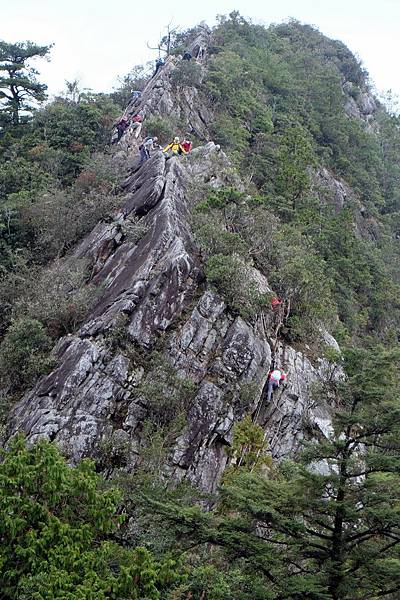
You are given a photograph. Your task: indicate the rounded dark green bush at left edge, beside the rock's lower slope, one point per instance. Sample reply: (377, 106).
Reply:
(24, 353)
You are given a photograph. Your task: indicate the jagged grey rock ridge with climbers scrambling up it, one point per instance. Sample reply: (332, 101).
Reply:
(153, 294)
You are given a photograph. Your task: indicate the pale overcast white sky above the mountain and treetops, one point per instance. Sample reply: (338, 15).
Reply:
(98, 40)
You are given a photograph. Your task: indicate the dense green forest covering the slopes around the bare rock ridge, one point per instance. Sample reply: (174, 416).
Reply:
(324, 524)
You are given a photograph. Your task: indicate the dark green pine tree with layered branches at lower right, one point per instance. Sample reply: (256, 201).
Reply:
(335, 520)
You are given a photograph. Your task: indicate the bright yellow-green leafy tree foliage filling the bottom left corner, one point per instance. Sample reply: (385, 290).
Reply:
(56, 527)
